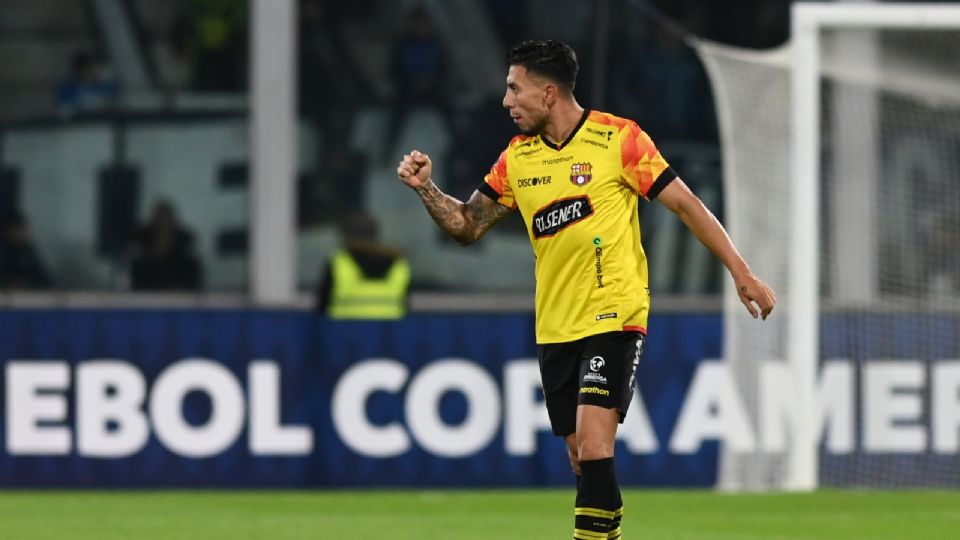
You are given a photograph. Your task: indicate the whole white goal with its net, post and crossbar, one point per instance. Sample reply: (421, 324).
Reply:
(842, 177)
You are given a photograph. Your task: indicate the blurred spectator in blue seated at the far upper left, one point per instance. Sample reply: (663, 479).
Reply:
(88, 88)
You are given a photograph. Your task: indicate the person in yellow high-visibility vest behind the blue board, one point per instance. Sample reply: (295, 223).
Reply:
(364, 279)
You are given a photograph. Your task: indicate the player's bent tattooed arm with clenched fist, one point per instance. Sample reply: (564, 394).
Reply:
(464, 222)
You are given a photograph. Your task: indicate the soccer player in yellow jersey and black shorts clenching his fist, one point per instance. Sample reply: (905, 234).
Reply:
(575, 176)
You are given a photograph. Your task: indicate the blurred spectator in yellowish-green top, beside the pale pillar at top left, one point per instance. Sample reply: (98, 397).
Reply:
(213, 36)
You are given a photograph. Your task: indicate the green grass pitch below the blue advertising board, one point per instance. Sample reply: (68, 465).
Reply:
(468, 515)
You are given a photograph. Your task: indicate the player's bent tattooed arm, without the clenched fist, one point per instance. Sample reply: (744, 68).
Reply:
(465, 222)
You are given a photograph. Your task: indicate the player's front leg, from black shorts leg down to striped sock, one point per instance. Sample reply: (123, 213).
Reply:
(606, 389)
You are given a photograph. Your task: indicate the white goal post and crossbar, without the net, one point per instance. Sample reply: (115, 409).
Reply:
(808, 20)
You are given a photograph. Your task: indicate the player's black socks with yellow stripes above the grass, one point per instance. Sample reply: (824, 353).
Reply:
(599, 505)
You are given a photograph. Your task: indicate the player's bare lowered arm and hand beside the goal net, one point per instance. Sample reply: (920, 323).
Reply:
(698, 218)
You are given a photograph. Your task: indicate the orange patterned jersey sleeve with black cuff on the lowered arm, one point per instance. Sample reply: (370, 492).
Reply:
(644, 169)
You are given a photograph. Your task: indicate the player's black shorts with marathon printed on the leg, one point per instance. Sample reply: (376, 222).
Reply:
(596, 370)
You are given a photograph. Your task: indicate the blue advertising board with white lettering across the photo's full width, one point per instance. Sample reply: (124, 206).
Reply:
(263, 398)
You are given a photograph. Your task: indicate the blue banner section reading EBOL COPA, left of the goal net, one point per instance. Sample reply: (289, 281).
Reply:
(286, 399)
